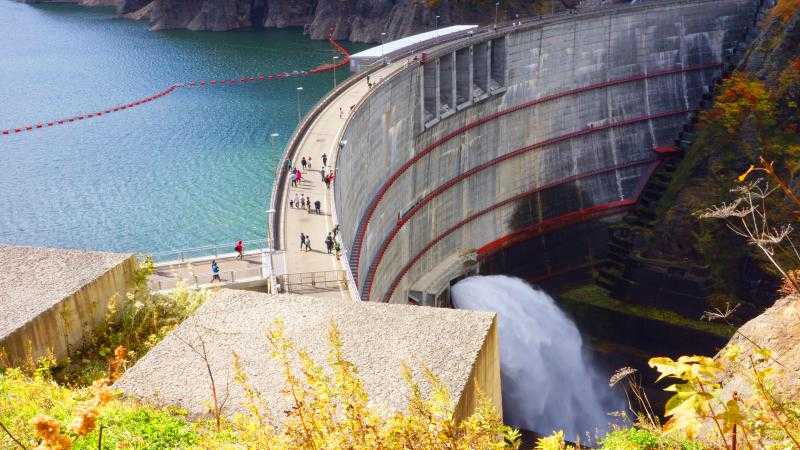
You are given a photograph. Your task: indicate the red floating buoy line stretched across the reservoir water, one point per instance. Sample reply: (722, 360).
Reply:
(196, 83)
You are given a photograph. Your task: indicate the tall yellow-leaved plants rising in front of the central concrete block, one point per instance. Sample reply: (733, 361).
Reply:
(331, 409)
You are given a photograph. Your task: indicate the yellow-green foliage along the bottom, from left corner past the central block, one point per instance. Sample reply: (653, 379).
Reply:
(331, 410)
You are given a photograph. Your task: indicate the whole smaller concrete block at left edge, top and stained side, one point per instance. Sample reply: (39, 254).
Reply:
(51, 299)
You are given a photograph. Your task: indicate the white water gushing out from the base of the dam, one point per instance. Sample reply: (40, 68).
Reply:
(547, 384)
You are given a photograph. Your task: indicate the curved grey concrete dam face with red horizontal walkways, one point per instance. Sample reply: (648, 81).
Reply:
(514, 132)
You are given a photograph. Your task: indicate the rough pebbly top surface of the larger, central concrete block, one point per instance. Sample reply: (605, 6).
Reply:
(377, 339)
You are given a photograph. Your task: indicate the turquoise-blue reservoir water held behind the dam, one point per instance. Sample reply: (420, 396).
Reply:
(190, 169)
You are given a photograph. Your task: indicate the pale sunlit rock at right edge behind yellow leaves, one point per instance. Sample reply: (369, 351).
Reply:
(777, 329)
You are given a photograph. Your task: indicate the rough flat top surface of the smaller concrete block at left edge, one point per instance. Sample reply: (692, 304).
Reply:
(34, 279)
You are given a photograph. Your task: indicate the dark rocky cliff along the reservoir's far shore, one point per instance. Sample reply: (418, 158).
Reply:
(354, 20)
